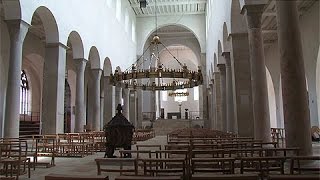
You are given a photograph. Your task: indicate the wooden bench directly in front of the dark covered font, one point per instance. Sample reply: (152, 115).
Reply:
(121, 162)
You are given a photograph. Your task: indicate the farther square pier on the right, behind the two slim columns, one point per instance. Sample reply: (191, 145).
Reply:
(218, 102)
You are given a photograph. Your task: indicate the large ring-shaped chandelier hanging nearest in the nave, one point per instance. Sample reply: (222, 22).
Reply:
(158, 77)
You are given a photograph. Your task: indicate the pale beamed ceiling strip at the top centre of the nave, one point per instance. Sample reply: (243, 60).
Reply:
(169, 7)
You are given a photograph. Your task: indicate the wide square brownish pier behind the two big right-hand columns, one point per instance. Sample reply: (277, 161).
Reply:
(242, 89)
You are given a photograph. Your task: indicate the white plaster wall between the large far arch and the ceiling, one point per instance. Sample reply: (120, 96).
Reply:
(195, 23)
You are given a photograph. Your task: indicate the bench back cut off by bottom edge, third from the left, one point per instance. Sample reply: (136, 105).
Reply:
(225, 177)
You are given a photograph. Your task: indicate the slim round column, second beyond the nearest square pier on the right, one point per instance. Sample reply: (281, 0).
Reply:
(222, 69)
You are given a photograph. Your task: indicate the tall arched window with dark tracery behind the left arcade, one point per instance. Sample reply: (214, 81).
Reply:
(24, 93)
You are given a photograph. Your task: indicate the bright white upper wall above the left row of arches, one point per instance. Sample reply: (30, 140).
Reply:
(95, 22)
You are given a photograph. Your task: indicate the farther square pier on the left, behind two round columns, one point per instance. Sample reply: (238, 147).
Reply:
(108, 93)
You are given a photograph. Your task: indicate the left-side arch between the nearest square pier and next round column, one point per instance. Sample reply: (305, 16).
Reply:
(77, 45)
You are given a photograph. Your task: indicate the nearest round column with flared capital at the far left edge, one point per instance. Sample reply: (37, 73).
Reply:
(17, 31)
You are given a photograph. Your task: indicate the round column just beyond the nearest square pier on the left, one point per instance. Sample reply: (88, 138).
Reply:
(80, 119)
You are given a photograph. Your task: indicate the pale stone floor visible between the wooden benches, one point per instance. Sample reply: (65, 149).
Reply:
(86, 166)
